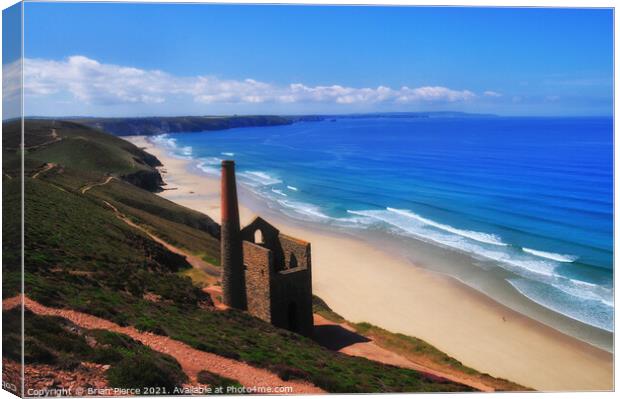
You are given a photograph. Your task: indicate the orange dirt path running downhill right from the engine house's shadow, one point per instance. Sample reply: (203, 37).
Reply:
(354, 344)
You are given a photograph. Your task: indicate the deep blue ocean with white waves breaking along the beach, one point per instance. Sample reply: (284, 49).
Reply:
(532, 197)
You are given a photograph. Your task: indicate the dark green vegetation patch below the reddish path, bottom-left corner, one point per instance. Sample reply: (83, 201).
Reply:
(60, 343)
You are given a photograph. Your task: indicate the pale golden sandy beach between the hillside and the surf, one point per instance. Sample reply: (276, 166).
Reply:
(360, 282)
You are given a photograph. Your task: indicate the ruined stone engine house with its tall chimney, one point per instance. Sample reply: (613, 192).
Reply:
(263, 271)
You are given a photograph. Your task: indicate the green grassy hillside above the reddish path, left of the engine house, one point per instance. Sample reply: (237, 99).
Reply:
(80, 255)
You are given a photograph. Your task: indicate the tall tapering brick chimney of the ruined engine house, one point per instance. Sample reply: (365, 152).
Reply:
(233, 273)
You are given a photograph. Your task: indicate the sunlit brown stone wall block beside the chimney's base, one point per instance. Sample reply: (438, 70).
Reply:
(258, 275)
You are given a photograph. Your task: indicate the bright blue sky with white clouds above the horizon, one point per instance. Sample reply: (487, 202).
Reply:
(111, 59)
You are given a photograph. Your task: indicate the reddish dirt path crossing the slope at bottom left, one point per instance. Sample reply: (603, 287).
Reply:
(191, 360)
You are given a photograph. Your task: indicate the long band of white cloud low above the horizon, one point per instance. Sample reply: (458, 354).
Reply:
(91, 82)
